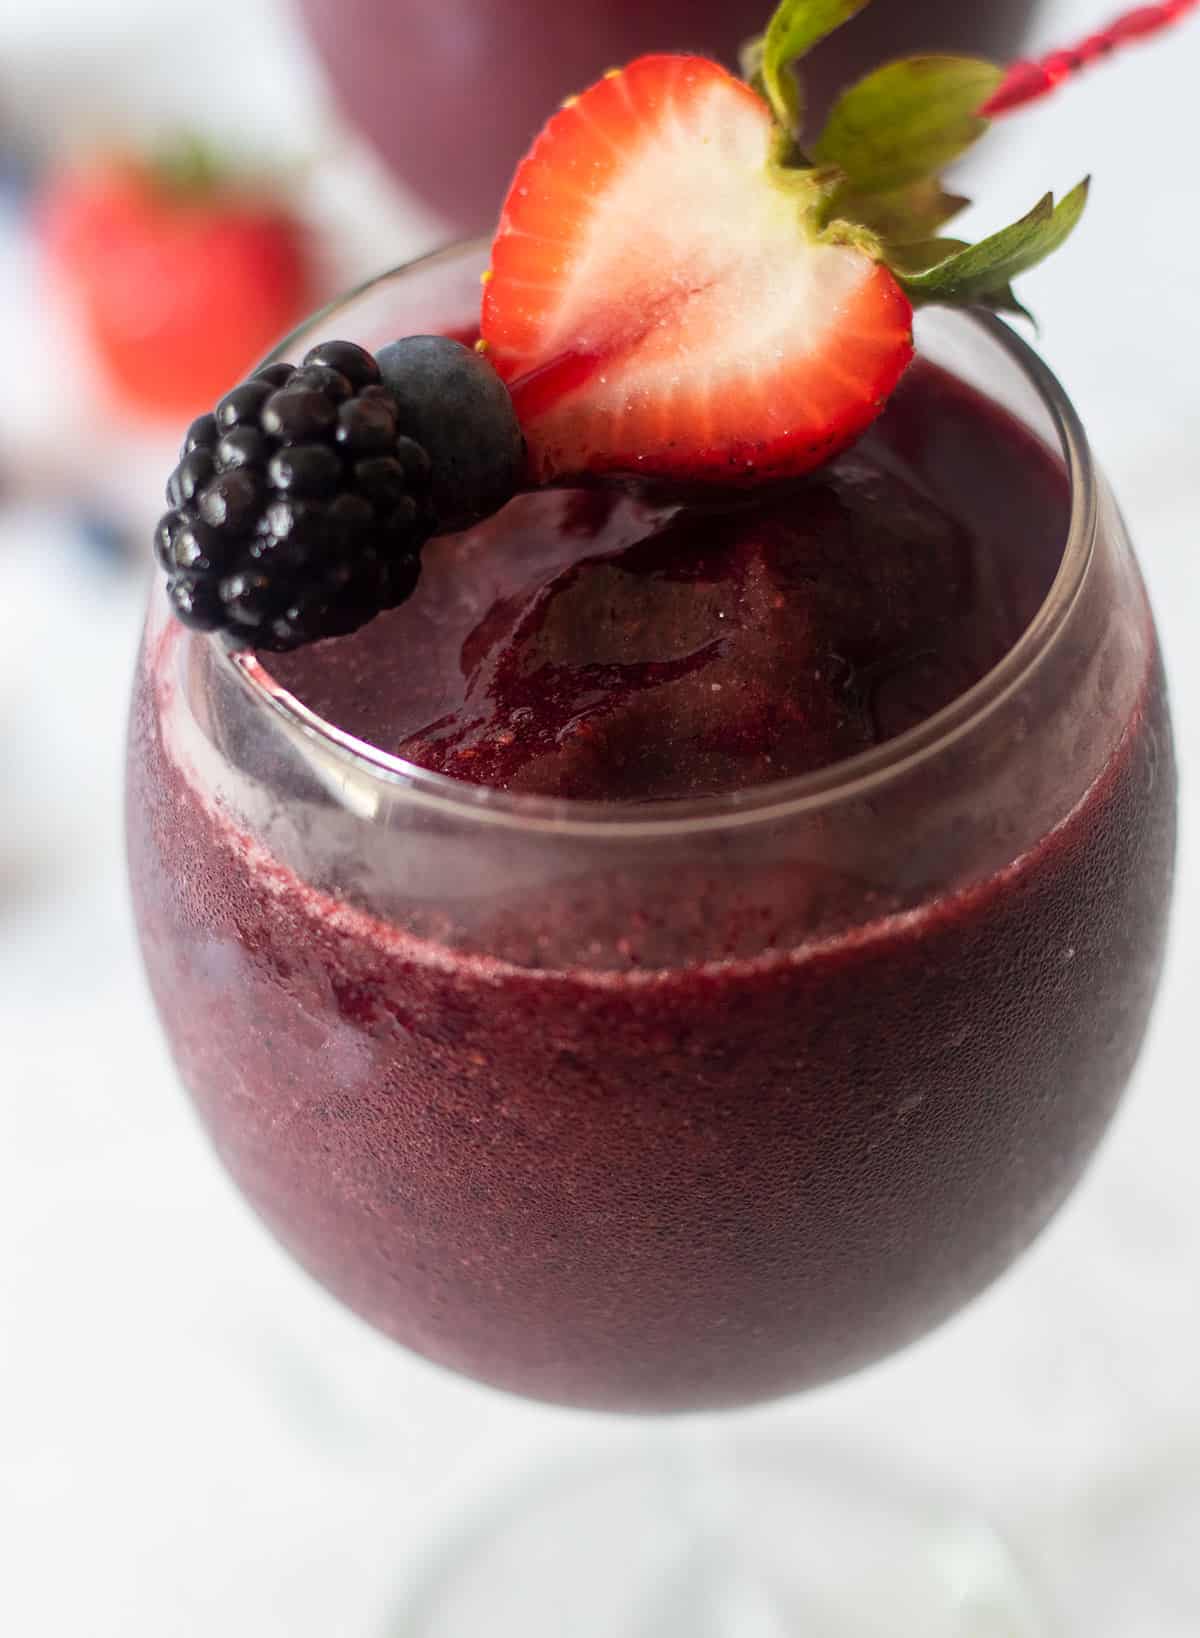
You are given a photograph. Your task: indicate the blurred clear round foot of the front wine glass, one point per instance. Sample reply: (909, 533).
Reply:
(734, 1539)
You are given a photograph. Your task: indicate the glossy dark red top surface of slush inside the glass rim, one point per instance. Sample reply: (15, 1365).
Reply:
(607, 648)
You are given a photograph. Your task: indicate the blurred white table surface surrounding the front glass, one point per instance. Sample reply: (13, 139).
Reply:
(196, 1441)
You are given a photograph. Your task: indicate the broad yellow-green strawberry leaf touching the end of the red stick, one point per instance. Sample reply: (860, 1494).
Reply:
(908, 120)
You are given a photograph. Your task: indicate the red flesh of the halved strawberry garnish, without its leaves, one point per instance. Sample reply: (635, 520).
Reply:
(665, 299)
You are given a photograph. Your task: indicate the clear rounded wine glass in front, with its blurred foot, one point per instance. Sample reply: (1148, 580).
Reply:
(679, 1106)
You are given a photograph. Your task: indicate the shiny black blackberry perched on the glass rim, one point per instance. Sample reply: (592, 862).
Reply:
(273, 535)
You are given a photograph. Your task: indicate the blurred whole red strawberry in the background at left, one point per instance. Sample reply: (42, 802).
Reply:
(179, 271)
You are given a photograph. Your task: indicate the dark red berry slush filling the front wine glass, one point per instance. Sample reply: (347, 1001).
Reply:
(706, 1183)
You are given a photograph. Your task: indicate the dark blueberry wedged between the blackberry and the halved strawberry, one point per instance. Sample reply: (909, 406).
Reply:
(458, 409)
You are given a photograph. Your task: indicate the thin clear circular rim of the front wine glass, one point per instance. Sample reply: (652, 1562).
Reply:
(857, 777)
